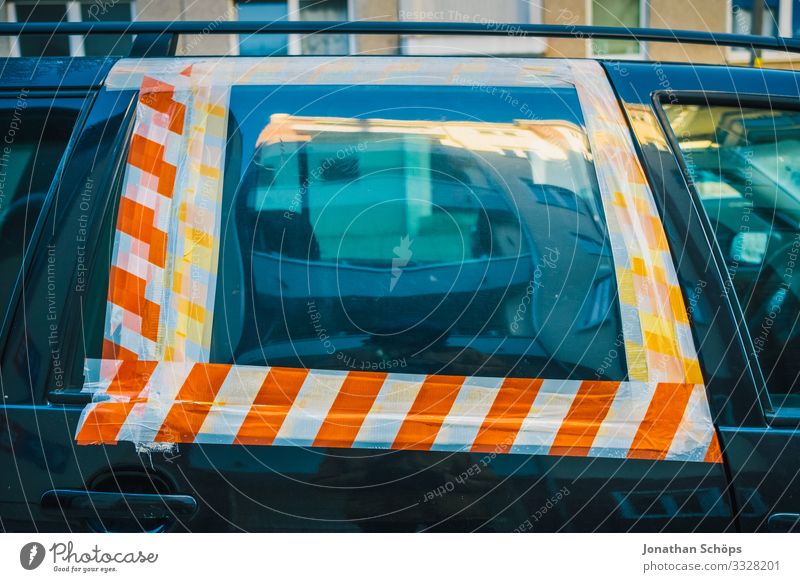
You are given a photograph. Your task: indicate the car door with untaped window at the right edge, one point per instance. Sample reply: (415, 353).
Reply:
(734, 133)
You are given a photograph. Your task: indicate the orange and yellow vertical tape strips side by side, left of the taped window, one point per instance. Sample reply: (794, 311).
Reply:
(164, 265)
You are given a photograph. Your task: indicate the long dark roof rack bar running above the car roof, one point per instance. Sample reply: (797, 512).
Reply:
(581, 32)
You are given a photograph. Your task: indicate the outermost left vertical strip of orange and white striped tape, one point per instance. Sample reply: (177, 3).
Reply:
(136, 290)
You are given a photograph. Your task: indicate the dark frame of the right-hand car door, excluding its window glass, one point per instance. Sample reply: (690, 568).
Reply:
(761, 451)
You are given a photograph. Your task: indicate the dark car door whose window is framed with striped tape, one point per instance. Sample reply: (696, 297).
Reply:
(368, 295)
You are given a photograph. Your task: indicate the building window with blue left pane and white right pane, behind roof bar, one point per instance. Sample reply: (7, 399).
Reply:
(283, 44)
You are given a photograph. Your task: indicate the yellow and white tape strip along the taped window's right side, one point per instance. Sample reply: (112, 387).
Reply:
(658, 340)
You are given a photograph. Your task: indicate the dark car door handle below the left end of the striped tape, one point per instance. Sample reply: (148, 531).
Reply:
(104, 504)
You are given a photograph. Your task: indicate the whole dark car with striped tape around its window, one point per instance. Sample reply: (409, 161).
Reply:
(398, 294)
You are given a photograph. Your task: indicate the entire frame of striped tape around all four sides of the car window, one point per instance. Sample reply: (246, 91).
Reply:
(148, 388)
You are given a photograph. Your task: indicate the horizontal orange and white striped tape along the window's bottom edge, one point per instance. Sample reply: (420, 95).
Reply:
(183, 402)
